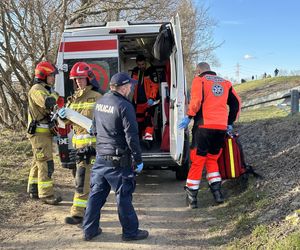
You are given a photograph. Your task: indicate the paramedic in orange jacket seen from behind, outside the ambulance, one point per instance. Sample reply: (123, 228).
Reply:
(210, 95)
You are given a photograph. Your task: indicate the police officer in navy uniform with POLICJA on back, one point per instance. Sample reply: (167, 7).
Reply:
(117, 140)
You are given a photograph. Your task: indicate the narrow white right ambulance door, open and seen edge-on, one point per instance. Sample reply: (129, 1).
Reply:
(177, 94)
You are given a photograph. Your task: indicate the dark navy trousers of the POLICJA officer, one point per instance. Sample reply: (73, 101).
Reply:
(104, 177)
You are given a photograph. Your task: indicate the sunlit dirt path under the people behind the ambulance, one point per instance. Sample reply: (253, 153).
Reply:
(159, 201)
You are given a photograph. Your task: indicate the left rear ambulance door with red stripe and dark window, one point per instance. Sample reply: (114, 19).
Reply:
(100, 52)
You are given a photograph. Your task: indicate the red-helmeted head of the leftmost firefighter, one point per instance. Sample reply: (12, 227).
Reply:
(45, 72)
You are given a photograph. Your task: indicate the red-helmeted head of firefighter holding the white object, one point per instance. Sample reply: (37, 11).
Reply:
(81, 73)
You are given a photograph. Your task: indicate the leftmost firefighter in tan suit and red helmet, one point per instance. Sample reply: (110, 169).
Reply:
(41, 101)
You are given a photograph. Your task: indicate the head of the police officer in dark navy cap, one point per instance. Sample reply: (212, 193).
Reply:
(122, 83)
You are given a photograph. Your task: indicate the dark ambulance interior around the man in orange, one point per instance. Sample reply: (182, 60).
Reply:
(129, 47)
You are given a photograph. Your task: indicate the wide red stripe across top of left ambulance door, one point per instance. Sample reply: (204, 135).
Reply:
(88, 45)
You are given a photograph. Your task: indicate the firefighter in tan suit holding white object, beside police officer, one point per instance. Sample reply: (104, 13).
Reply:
(82, 101)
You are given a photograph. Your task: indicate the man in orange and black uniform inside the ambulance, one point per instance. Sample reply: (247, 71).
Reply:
(145, 93)
